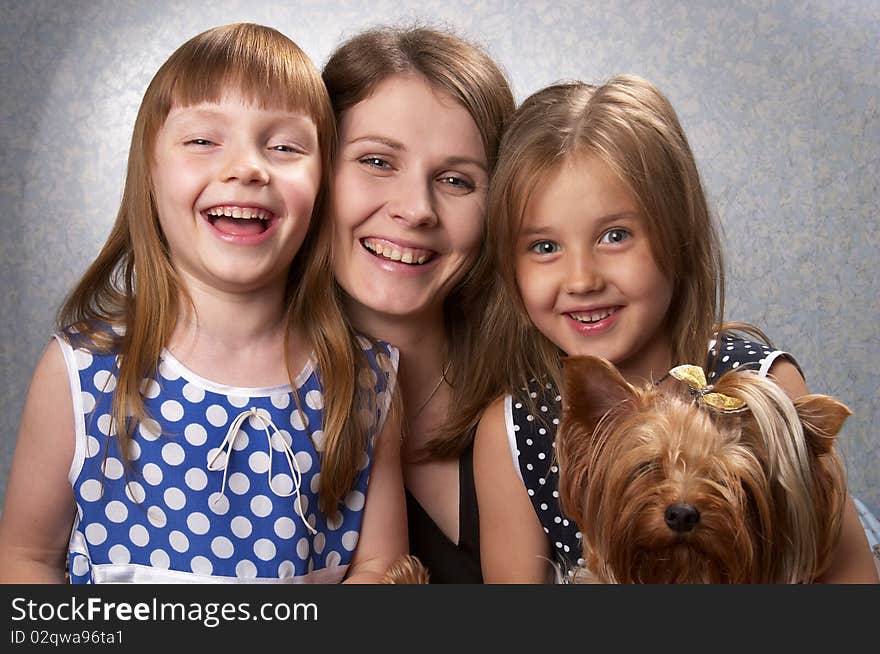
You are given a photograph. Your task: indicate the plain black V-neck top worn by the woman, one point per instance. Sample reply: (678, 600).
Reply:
(447, 562)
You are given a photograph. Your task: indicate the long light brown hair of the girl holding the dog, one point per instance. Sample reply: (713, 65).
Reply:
(629, 125)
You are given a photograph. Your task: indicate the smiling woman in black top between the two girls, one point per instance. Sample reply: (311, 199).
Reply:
(420, 114)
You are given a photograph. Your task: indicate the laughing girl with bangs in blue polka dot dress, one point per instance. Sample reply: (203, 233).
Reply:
(203, 414)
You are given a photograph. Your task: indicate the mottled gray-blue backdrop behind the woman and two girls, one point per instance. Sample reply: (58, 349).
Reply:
(779, 99)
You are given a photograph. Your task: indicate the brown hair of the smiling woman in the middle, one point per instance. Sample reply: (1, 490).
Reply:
(465, 72)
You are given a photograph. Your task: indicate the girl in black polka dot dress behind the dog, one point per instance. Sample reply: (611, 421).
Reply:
(604, 245)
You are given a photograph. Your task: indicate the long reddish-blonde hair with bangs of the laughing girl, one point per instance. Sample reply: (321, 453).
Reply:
(132, 284)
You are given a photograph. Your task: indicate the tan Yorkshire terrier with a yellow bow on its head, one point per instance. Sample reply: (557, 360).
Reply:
(730, 483)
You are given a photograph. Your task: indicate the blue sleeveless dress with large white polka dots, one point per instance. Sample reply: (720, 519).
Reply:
(224, 481)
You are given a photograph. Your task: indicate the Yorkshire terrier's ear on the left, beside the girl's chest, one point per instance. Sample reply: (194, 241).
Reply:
(591, 386)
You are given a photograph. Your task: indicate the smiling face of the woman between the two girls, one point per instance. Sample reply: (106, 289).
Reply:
(409, 195)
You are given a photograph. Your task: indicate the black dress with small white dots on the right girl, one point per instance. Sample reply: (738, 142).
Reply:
(531, 437)
